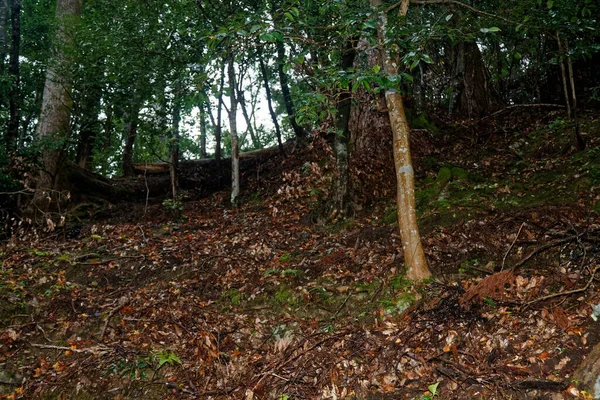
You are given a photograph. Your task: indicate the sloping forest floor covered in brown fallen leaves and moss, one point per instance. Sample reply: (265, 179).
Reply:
(267, 301)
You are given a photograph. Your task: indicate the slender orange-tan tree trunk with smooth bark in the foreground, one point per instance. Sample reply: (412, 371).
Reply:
(414, 257)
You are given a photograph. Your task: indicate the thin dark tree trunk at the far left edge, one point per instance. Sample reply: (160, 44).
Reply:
(12, 134)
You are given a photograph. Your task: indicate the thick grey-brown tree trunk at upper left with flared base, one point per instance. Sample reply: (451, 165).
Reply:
(53, 125)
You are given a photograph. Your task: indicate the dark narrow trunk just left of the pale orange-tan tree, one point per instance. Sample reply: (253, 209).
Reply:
(341, 184)
